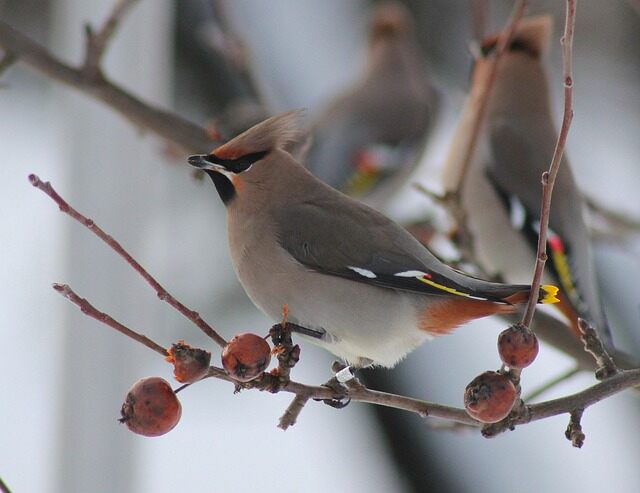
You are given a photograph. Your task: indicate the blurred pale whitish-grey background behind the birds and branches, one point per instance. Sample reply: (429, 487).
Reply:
(64, 376)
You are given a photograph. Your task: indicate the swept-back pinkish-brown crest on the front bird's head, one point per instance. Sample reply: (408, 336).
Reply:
(276, 132)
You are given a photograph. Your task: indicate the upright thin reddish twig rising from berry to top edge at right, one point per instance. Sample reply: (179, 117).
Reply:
(549, 177)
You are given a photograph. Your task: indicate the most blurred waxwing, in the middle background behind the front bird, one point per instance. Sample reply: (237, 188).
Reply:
(369, 135)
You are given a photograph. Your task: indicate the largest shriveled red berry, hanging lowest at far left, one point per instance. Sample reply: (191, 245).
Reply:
(151, 407)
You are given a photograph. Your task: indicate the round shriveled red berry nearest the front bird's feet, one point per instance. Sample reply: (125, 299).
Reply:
(246, 356)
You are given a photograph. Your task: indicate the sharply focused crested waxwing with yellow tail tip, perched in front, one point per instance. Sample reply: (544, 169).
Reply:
(360, 284)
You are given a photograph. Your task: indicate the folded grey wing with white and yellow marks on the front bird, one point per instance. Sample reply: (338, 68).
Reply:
(365, 246)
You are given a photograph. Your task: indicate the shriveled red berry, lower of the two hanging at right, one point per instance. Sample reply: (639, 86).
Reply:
(489, 397)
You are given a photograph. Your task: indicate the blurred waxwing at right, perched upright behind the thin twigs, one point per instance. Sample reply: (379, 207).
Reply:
(501, 189)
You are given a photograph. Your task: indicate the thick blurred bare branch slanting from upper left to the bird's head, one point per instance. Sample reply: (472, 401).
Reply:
(167, 125)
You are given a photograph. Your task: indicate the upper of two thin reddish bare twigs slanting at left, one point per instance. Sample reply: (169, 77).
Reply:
(162, 293)
